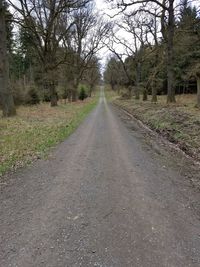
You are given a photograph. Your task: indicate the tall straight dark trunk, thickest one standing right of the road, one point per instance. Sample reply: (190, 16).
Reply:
(170, 55)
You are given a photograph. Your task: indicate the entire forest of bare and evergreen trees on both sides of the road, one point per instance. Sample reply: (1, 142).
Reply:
(51, 49)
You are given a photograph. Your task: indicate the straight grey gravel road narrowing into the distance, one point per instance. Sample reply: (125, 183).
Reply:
(108, 197)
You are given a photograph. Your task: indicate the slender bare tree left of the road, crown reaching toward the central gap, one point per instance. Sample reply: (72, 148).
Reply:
(85, 41)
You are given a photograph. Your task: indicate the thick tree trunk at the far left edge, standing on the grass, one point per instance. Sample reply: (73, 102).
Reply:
(5, 90)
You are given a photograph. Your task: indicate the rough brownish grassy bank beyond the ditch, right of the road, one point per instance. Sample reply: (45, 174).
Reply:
(179, 123)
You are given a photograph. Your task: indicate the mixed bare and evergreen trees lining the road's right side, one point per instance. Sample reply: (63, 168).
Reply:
(161, 48)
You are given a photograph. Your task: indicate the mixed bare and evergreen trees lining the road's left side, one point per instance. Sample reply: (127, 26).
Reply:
(48, 48)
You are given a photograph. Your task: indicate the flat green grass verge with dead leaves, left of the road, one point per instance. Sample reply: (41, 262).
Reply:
(35, 129)
